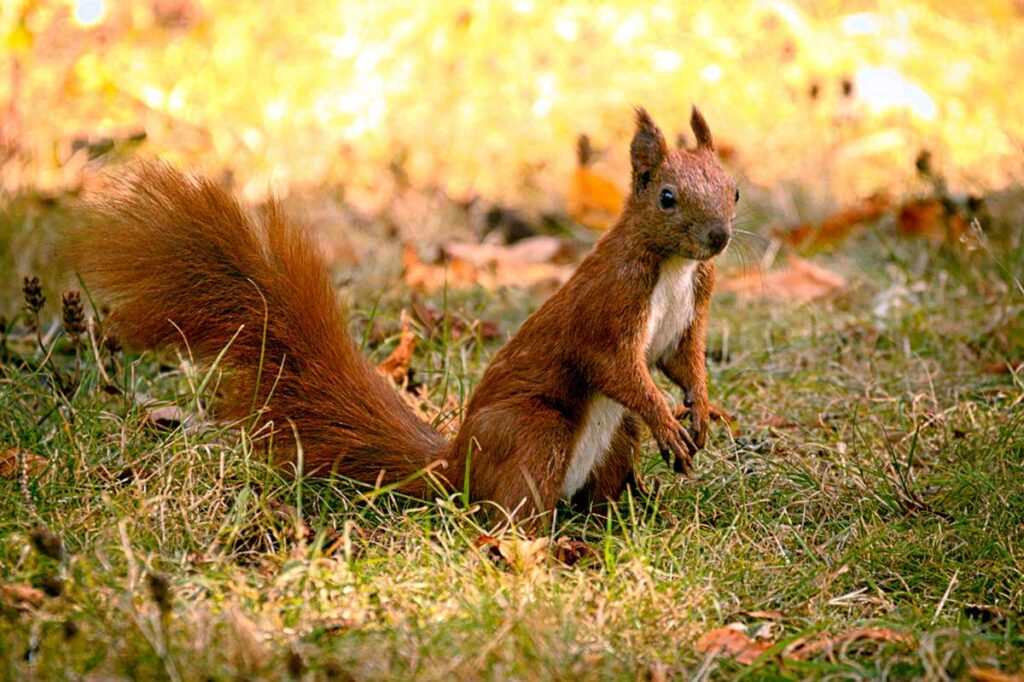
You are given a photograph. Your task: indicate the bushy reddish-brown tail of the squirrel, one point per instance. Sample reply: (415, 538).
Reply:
(184, 266)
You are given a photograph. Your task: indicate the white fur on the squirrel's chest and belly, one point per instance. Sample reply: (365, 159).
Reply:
(669, 315)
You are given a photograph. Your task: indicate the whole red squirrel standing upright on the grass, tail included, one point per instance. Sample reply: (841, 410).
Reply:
(559, 412)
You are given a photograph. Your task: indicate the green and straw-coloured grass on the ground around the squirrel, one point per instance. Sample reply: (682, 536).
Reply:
(875, 479)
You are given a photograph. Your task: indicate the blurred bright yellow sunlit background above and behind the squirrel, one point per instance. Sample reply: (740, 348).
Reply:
(432, 119)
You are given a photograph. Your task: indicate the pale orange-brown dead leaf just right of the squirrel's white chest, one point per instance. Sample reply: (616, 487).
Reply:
(798, 281)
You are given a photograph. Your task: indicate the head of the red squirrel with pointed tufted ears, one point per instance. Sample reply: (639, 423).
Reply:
(682, 201)
